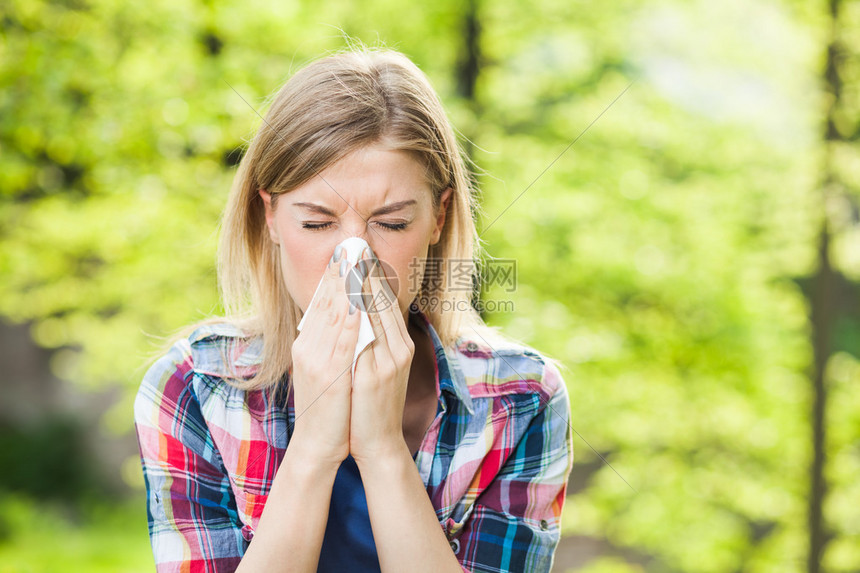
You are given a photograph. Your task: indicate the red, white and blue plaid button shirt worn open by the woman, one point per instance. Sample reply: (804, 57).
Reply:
(495, 461)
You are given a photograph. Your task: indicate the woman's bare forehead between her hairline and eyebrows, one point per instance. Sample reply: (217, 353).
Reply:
(370, 175)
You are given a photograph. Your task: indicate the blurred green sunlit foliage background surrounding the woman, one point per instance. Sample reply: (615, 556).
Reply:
(693, 259)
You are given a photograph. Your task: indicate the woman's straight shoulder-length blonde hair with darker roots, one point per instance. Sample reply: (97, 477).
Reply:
(328, 109)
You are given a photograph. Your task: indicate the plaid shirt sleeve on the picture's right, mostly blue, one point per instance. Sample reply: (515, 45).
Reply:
(515, 522)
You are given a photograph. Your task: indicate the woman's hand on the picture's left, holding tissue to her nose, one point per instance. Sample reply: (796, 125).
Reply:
(321, 376)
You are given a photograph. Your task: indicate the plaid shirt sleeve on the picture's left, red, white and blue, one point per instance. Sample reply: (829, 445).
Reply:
(193, 521)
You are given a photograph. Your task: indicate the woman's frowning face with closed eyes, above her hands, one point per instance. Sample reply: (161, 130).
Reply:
(374, 193)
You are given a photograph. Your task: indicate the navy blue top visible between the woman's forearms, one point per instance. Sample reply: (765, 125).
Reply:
(348, 542)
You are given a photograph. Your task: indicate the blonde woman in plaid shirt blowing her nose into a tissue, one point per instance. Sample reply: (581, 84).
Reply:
(448, 447)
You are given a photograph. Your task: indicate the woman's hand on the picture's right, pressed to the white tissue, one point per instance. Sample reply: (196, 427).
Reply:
(381, 378)
